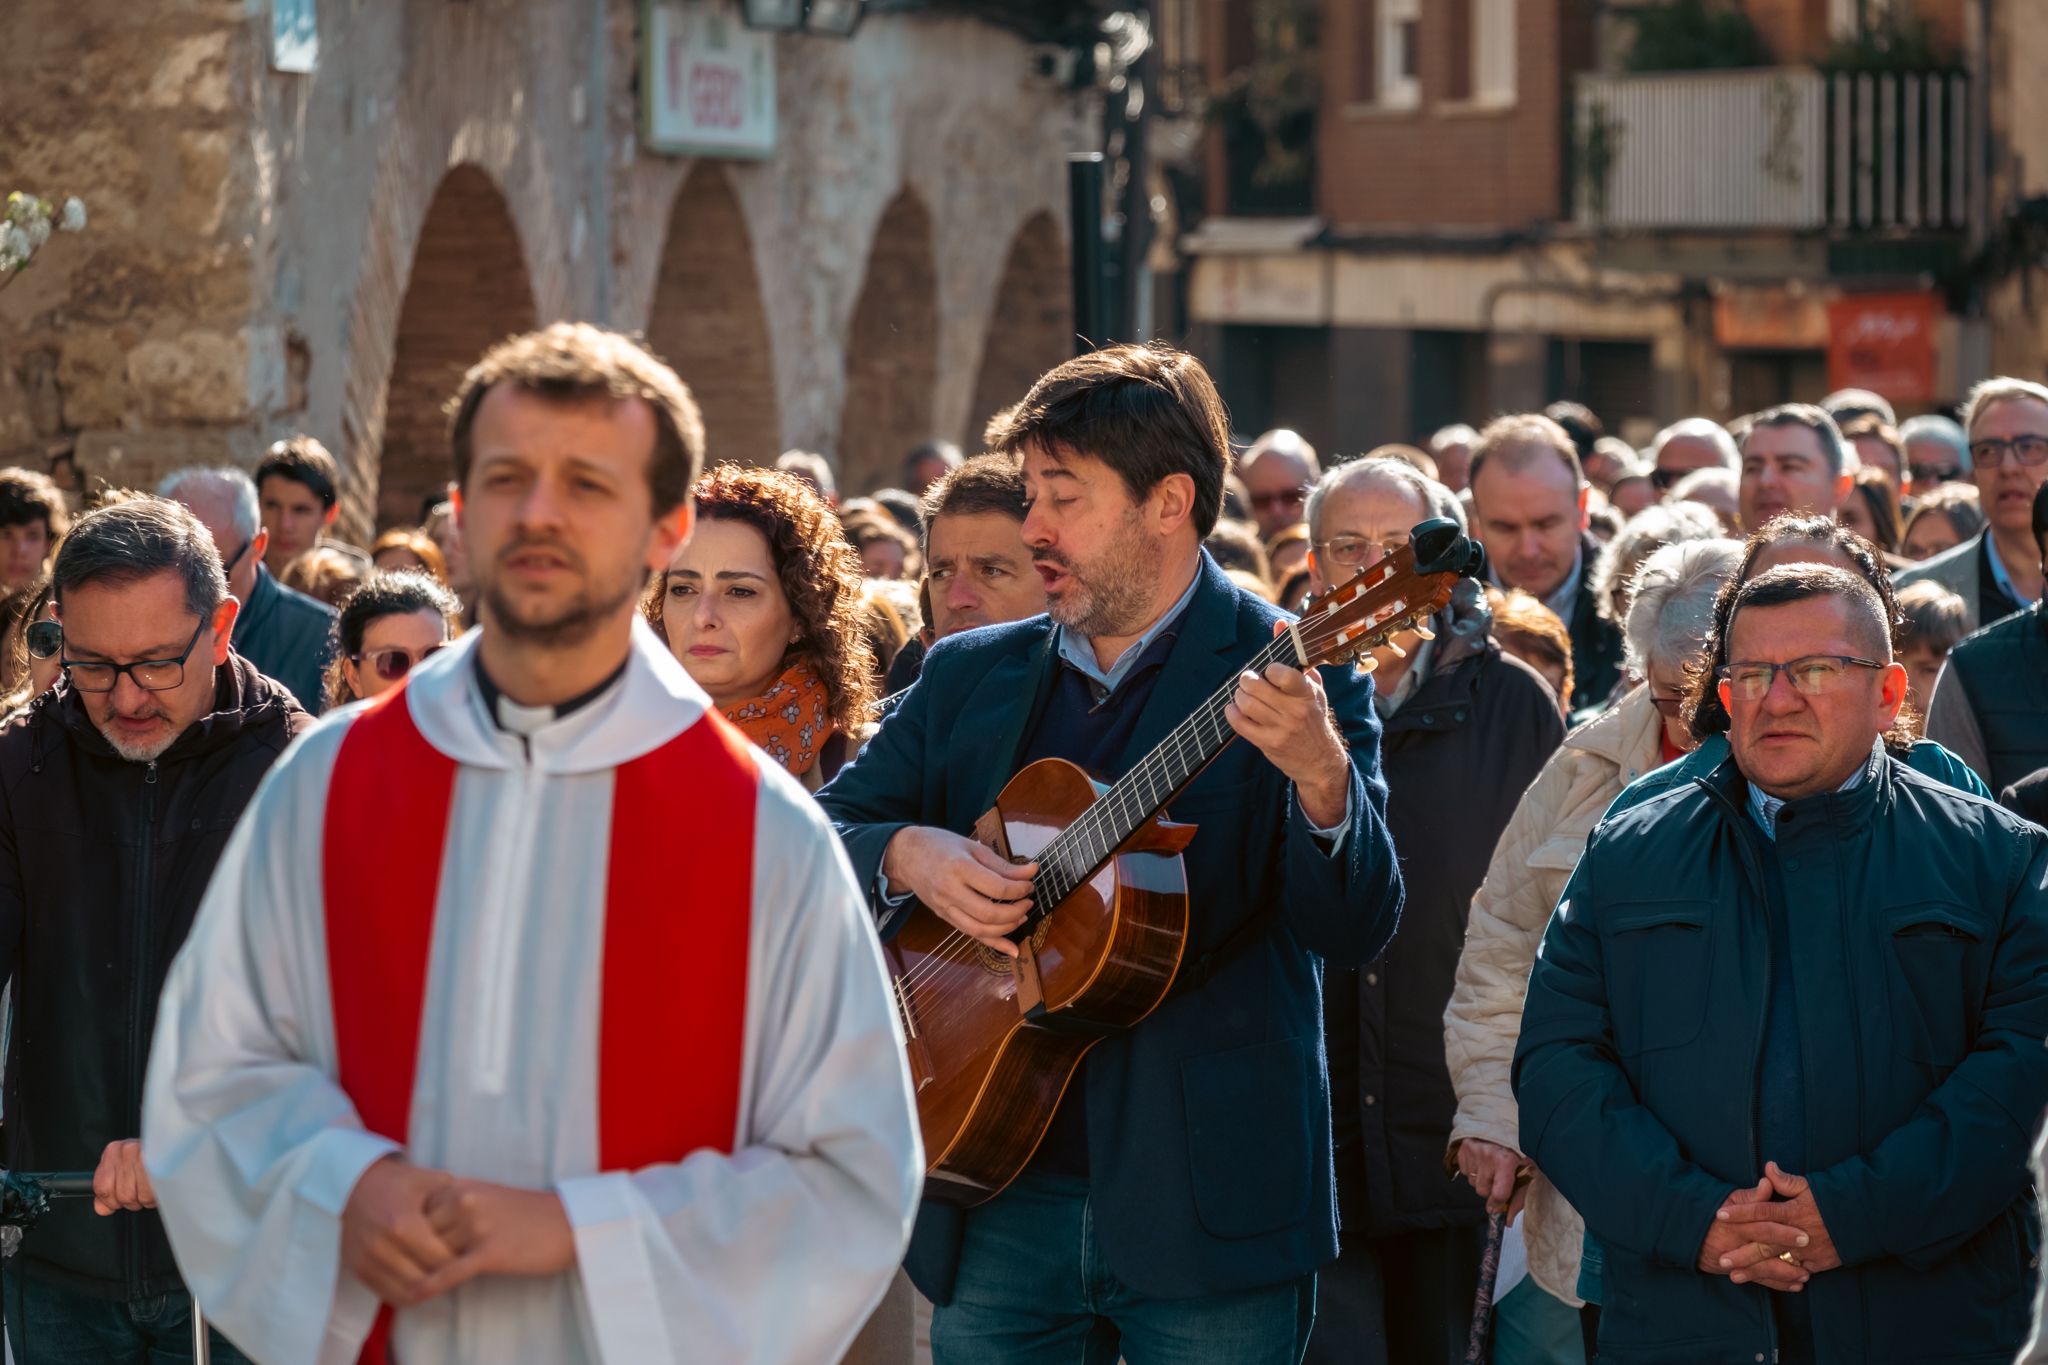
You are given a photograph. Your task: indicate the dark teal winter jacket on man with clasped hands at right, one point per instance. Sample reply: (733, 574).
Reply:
(1920, 963)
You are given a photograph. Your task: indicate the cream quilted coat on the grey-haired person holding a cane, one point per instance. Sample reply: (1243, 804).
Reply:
(1525, 881)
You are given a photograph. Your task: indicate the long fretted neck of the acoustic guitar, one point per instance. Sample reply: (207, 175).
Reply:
(1136, 799)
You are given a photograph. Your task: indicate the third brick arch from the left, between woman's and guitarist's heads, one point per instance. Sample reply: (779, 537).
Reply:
(892, 351)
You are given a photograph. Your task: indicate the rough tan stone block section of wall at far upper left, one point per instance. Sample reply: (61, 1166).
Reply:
(128, 349)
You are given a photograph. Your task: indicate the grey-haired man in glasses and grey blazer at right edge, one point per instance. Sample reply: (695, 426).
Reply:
(1998, 572)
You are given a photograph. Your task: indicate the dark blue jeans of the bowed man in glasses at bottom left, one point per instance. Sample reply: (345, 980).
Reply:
(52, 1325)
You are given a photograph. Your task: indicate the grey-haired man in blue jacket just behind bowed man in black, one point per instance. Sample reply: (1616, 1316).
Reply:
(282, 631)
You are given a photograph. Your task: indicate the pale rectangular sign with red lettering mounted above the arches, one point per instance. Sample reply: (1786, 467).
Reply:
(708, 81)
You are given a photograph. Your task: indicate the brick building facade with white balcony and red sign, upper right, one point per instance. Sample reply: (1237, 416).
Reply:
(1517, 202)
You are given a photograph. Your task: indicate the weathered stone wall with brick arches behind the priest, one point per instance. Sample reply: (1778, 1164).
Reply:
(321, 253)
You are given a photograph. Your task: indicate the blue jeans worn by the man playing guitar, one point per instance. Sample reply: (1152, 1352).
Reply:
(1033, 1290)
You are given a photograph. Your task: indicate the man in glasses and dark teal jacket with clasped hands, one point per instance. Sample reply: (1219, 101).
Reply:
(1783, 1045)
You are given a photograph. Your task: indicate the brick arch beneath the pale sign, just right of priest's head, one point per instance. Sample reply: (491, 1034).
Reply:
(710, 324)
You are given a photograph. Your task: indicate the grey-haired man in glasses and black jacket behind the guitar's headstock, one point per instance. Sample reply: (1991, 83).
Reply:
(1465, 728)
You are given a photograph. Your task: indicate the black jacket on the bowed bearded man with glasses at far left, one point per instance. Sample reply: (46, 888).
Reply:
(103, 865)
